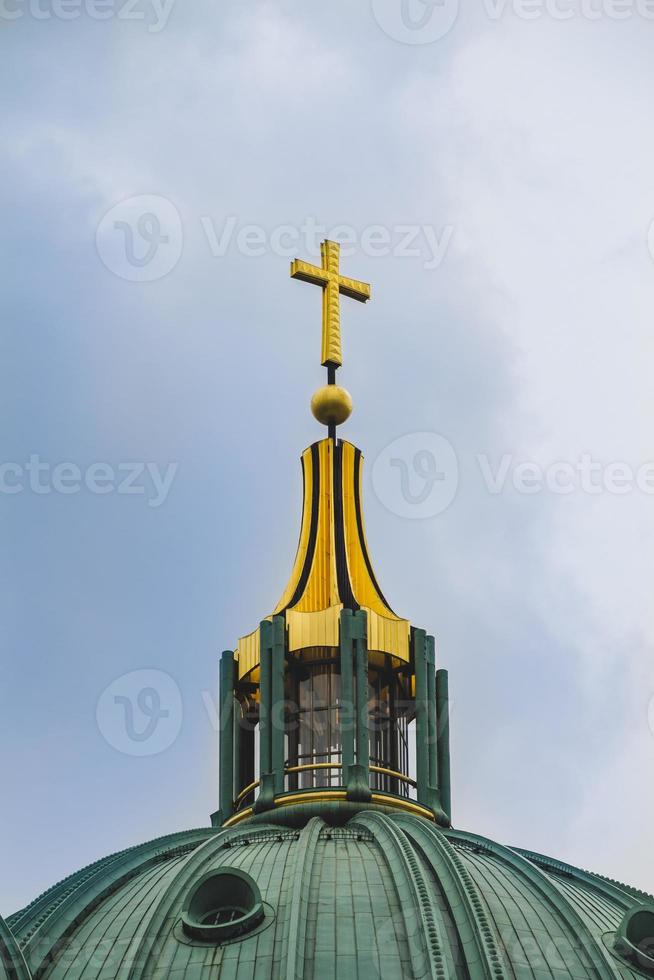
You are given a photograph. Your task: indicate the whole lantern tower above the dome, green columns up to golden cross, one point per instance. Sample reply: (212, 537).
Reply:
(333, 678)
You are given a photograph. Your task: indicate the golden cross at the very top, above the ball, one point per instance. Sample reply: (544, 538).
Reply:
(333, 285)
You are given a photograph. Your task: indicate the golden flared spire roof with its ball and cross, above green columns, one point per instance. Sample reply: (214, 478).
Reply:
(332, 569)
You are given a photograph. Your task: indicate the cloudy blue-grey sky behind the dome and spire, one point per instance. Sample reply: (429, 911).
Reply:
(491, 173)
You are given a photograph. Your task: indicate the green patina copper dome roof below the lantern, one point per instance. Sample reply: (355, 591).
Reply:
(381, 896)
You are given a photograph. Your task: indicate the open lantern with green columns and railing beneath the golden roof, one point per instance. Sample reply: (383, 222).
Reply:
(359, 711)
